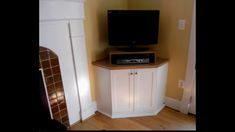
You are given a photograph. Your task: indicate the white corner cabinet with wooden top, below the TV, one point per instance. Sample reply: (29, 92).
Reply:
(126, 91)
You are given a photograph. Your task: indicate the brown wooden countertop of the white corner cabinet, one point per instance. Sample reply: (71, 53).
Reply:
(104, 63)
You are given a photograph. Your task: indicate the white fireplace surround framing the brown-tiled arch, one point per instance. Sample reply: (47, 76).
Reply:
(61, 30)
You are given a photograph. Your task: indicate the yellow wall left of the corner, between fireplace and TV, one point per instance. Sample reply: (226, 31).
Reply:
(96, 31)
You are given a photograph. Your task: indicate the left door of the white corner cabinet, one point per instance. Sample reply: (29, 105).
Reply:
(122, 90)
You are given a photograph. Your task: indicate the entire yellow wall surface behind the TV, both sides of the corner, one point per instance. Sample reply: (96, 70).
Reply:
(173, 43)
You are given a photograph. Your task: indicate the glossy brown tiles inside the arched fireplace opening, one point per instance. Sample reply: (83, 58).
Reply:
(49, 63)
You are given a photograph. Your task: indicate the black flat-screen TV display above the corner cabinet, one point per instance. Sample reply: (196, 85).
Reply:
(133, 27)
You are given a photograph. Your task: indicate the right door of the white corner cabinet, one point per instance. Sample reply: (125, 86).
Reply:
(144, 91)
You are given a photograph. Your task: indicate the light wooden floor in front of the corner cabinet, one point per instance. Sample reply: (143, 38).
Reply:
(167, 119)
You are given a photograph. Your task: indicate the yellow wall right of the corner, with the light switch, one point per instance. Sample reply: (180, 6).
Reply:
(173, 43)
